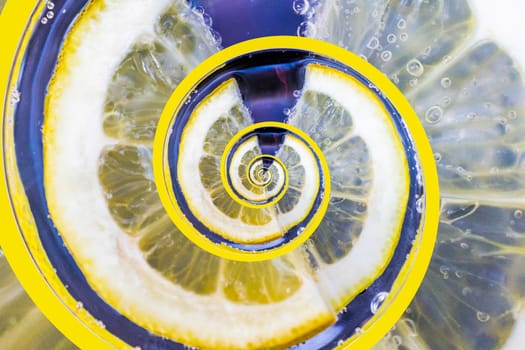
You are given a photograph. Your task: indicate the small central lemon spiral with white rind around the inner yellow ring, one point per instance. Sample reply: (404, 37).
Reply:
(260, 183)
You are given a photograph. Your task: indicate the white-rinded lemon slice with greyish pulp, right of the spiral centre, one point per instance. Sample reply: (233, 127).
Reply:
(369, 179)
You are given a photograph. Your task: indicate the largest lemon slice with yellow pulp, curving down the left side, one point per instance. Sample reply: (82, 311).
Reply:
(103, 200)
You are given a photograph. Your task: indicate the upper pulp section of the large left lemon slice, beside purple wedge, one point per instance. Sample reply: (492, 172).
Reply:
(153, 67)
